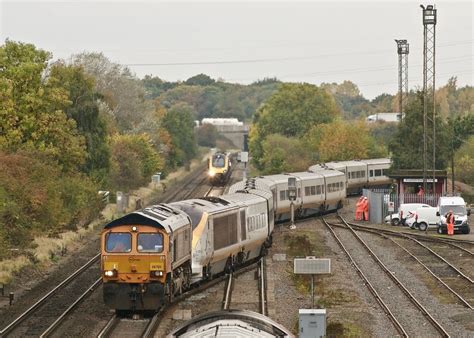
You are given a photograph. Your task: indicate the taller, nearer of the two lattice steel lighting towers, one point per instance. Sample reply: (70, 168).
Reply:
(429, 132)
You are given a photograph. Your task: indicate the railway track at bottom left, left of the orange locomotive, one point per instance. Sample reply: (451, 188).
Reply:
(40, 317)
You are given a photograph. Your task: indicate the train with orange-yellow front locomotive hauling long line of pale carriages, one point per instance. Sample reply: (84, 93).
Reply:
(155, 254)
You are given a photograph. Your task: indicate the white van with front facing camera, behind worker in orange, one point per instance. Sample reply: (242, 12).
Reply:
(458, 206)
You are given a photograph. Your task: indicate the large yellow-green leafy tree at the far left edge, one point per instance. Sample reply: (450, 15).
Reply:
(32, 108)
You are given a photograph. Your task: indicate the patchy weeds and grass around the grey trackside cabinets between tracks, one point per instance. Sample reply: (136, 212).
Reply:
(329, 294)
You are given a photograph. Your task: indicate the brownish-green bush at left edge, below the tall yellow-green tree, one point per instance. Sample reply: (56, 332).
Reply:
(38, 198)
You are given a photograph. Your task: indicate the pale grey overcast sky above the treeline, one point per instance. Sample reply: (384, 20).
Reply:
(310, 41)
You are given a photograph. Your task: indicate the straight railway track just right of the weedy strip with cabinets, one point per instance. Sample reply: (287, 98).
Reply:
(403, 309)
